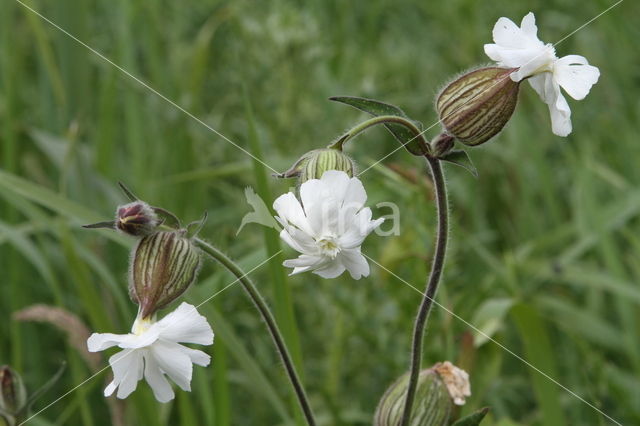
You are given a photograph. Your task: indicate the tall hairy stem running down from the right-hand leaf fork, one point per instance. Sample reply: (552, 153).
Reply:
(432, 284)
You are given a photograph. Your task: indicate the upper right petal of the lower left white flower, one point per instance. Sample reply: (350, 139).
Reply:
(186, 325)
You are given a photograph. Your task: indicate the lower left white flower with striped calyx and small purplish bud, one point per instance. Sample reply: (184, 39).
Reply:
(163, 265)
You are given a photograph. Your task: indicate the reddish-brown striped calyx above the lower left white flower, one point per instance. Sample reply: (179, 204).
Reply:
(163, 266)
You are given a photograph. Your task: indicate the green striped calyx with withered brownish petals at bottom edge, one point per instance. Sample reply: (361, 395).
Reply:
(439, 389)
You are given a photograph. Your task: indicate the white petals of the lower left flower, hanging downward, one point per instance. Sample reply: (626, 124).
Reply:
(153, 350)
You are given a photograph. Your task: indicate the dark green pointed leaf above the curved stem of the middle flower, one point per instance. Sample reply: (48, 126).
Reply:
(406, 137)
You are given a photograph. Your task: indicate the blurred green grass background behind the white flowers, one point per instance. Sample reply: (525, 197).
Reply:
(545, 243)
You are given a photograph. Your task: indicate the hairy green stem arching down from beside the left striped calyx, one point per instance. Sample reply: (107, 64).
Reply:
(268, 318)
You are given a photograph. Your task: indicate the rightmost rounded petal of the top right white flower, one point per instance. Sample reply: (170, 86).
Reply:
(575, 75)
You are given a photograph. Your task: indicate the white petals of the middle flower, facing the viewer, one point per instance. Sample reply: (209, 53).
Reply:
(329, 226)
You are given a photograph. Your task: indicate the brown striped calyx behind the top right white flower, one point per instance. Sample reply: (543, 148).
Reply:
(476, 106)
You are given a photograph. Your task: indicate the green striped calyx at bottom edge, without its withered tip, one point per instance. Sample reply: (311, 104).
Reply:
(433, 405)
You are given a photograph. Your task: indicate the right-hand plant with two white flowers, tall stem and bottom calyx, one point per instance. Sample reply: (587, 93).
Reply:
(326, 222)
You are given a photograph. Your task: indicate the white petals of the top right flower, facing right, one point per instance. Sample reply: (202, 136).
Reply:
(520, 48)
